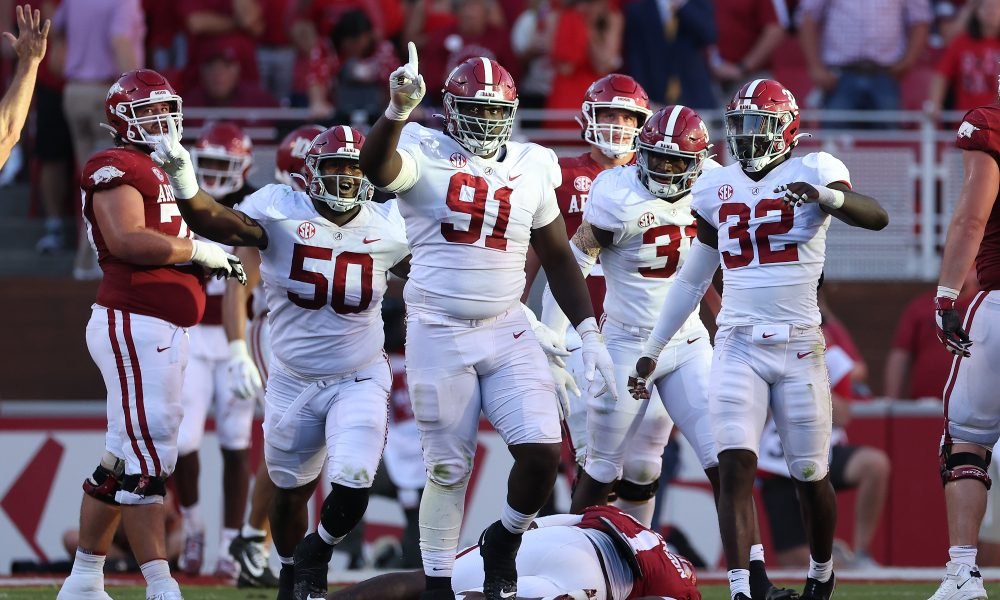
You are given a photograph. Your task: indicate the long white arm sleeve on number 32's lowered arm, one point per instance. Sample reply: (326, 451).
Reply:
(684, 295)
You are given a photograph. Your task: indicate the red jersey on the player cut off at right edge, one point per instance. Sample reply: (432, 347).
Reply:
(980, 130)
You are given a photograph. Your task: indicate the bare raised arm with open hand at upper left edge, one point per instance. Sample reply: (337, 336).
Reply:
(29, 45)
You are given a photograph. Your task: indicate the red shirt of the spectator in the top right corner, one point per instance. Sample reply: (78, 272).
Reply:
(971, 67)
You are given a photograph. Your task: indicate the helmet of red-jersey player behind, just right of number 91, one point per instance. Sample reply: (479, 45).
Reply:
(613, 91)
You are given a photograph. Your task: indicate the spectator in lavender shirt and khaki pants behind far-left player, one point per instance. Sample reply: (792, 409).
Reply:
(103, 38)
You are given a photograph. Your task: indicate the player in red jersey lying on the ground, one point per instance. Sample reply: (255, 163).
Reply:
(600, 554)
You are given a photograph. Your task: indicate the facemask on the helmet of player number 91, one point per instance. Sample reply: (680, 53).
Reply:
(479, 135)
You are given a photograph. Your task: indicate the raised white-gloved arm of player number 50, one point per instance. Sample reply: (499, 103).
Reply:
(200, 211)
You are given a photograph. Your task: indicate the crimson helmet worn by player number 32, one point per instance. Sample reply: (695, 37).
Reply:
(762, 124)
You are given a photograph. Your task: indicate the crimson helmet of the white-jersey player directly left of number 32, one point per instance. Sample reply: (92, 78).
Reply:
(673, 132)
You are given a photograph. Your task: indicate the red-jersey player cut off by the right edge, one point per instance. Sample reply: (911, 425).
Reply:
(971, 411)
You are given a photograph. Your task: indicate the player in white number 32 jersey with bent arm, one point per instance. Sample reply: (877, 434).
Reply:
(765, 219)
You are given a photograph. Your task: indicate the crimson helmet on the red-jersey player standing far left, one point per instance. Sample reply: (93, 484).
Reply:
(131, 92)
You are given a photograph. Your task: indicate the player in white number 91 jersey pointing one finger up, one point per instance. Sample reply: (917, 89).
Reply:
(472, 201)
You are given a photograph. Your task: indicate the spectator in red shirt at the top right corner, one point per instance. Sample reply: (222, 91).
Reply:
(968, 69)
